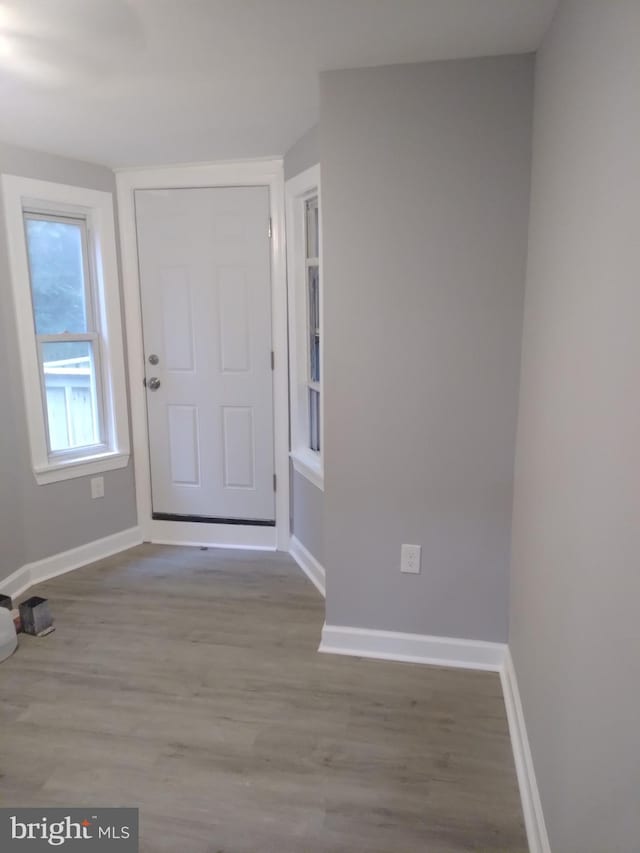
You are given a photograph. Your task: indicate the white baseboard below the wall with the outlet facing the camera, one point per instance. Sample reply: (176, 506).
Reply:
(412, 648)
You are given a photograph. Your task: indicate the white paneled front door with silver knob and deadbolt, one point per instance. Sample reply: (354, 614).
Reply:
(205, 281)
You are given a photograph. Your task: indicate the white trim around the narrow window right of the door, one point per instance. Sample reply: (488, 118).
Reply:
(305, 461)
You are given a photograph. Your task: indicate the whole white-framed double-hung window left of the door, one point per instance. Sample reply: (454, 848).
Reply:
(66, 292)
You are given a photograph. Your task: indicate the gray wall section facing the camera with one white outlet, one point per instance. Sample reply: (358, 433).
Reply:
(425, 183)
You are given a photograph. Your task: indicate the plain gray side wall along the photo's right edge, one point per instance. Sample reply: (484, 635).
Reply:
(575, 587)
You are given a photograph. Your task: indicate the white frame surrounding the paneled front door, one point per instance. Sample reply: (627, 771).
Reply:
(242, 173)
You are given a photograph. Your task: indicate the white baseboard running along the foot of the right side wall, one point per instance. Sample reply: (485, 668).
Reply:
(529, 794)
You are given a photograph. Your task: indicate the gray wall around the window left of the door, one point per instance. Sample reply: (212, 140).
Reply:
(38, 521)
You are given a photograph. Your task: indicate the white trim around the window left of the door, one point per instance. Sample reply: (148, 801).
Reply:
(20, 193)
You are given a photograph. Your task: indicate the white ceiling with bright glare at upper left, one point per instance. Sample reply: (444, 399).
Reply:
(144, 82)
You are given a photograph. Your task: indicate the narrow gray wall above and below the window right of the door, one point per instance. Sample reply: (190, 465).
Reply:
(307, 501)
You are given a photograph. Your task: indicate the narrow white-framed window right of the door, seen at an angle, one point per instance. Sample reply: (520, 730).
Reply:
(305, 325)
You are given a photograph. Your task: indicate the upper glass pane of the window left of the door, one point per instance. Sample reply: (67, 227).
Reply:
(57, 276)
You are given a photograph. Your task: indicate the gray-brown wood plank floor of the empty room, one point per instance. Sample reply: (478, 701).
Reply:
(187, 683)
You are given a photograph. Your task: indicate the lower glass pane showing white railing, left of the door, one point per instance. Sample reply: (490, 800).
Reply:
(71, 394)
